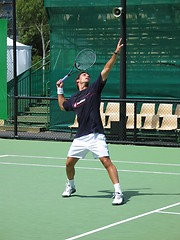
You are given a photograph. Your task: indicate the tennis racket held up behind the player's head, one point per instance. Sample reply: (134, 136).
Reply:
(83, 61)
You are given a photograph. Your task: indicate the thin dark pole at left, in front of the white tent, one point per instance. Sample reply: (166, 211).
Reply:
(14, 69)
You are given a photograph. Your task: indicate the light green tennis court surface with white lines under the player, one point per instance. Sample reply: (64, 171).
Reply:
(32, 178)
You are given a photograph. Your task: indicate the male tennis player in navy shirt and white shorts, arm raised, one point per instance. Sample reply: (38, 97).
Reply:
(90, 135)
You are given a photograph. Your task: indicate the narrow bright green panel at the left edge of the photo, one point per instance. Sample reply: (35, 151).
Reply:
(3, 69)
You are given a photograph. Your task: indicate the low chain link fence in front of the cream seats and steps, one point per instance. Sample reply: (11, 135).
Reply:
(147, 122)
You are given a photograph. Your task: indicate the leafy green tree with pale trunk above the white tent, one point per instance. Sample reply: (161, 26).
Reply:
(33, 27)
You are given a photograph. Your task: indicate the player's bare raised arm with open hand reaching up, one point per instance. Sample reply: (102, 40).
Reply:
(110, 63)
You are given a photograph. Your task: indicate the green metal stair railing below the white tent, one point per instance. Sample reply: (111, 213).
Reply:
(32, 82)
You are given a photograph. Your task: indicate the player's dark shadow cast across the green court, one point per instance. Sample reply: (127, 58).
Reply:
(128, 194)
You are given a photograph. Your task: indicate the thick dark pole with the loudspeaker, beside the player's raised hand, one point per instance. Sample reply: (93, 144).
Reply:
(122, 134)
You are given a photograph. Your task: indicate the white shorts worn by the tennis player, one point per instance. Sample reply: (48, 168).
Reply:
(94, 142)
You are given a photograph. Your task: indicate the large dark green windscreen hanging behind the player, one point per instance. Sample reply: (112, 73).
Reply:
(153, 49)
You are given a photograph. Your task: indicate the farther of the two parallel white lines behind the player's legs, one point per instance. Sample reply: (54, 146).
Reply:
(94, 160)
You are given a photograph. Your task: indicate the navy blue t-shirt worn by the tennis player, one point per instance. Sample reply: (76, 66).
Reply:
(86, 104)
